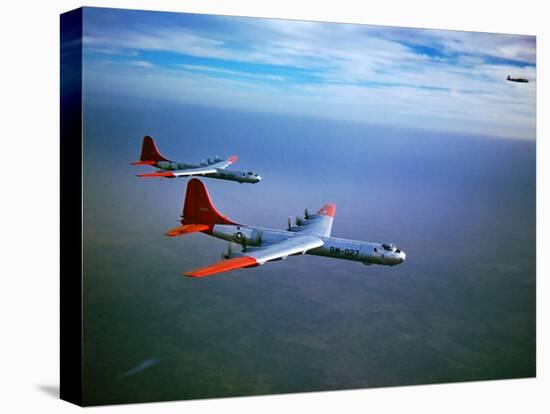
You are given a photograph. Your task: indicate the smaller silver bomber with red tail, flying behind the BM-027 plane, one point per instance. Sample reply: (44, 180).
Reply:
(212, 168)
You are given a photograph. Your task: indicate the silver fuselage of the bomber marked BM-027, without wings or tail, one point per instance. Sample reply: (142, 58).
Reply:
(338, 248)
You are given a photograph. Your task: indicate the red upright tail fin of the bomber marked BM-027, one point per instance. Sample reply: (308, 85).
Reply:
(198, 207)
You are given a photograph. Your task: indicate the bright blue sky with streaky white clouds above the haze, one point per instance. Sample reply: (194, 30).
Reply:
(413, 78)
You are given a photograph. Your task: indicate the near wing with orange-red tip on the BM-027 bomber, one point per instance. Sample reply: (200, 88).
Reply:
(255, 256)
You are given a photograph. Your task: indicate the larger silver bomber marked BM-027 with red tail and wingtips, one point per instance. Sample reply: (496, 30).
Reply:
(310, 234)
